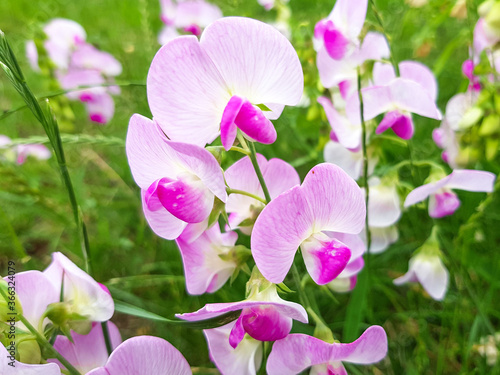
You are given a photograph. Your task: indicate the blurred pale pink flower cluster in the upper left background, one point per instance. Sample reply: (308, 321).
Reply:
(76, 63)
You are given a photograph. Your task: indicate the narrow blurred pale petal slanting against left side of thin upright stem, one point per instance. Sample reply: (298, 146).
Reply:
(348, 135)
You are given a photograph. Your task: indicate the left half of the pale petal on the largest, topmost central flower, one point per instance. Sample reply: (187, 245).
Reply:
(186, 92)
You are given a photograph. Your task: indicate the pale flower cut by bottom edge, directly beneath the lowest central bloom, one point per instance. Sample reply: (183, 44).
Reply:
(245, 359)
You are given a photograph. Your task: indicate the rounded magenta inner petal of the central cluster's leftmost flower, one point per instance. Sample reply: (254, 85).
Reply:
(188, 200)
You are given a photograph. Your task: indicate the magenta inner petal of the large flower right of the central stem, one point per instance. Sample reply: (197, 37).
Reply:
(325, 259)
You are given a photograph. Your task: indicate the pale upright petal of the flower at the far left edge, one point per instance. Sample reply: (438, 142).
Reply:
(35, 292)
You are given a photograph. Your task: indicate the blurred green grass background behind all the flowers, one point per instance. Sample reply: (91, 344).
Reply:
(425, 337)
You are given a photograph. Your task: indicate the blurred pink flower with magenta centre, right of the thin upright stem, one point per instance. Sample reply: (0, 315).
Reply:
(414, 91)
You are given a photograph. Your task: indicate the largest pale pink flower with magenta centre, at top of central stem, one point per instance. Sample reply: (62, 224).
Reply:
(200, 89)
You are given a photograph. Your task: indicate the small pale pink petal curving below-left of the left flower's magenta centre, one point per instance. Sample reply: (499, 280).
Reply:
(162, 222)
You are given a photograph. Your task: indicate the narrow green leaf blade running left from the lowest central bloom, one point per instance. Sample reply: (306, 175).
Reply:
(218, 321)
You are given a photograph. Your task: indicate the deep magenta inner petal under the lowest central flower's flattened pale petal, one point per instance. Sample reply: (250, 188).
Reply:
(265, 323)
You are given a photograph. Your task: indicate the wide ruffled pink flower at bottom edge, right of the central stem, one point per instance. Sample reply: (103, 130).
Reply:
(297, 352)
